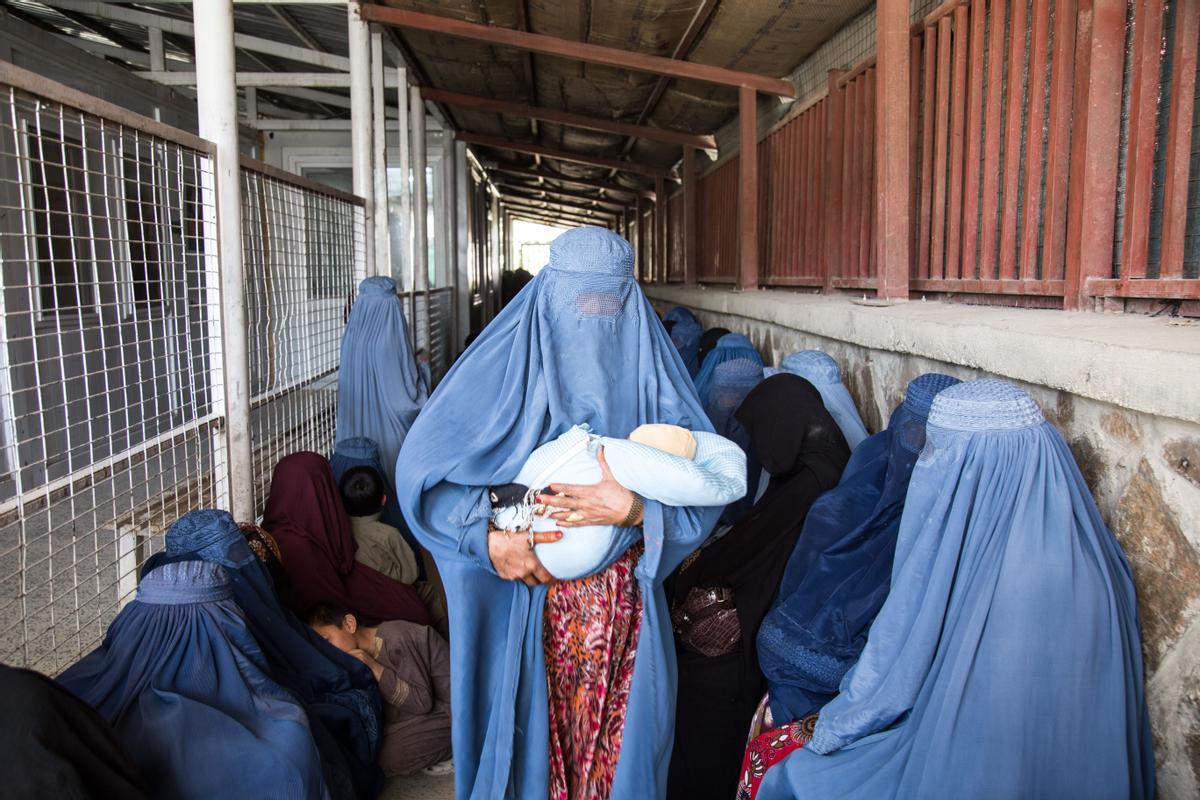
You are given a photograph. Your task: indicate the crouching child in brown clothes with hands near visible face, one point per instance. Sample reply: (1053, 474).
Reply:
(412, 666)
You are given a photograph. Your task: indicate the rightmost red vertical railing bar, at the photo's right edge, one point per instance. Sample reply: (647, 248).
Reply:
(1179, 136)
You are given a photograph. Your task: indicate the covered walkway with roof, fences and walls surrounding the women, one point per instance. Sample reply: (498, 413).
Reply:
(191, 194)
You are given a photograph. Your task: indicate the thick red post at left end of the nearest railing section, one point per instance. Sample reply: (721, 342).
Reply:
(892, 151)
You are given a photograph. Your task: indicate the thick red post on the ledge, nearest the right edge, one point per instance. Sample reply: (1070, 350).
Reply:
(1100, 58)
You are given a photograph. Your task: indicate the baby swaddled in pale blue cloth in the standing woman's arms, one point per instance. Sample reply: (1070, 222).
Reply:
(661, 462)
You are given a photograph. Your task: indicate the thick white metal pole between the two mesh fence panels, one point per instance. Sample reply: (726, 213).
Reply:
(217, 98)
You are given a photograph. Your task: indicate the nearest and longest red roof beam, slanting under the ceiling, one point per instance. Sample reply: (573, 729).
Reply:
(575, 51)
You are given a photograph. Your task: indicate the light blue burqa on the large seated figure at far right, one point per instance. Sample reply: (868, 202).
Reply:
(1006, 663)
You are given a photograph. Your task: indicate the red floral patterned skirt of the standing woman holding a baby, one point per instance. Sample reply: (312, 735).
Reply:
(590, 637)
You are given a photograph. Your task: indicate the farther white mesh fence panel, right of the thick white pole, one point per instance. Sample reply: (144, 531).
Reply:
(303, 258)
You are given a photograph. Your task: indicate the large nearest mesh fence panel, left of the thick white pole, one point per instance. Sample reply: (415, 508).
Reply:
(110, 366)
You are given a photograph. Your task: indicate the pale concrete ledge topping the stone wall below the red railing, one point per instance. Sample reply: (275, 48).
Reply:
(1144, 364)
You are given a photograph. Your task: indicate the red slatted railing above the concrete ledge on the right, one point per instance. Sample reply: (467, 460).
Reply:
(1019, 189)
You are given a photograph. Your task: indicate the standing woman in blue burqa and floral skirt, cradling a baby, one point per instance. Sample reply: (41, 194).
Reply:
(565, 690)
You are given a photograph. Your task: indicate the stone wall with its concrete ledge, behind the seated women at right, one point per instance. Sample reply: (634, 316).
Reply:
(1124, 392)
